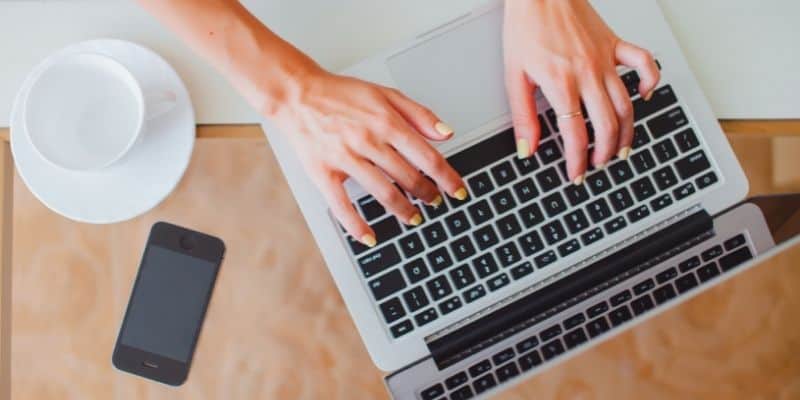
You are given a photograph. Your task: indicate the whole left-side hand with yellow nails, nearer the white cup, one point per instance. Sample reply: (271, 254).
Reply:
(343, 128)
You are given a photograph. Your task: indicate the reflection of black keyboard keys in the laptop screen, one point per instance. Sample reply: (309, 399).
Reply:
(594, 320)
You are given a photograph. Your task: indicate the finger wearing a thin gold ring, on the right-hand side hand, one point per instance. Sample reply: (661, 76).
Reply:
(563, 95)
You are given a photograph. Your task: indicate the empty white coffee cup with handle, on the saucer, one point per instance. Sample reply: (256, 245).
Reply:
(85, 111)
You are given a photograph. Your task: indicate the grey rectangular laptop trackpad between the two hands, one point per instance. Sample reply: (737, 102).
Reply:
(457, 74)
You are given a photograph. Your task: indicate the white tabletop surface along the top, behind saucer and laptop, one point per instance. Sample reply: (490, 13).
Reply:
(745, 53)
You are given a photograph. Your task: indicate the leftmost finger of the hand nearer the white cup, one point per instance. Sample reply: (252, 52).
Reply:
(330, 184)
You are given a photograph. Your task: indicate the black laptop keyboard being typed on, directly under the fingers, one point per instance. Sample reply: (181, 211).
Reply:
(524, 215)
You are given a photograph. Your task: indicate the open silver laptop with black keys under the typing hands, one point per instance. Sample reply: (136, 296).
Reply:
(530, 269)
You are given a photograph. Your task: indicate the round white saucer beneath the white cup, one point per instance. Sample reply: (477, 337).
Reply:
(134, 184)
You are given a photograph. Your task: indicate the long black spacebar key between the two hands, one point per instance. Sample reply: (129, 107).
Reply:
(479, 155)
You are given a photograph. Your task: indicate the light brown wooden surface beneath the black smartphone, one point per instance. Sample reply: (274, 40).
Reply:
(277, 327)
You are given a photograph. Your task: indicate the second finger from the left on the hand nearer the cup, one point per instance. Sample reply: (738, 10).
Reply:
(375, 182)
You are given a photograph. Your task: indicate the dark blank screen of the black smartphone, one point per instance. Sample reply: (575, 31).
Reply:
(168, 303)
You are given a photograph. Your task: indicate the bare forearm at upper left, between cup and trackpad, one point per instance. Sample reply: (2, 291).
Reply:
(264, 68)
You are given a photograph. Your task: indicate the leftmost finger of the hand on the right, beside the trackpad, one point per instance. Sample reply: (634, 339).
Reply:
(523, 112)
